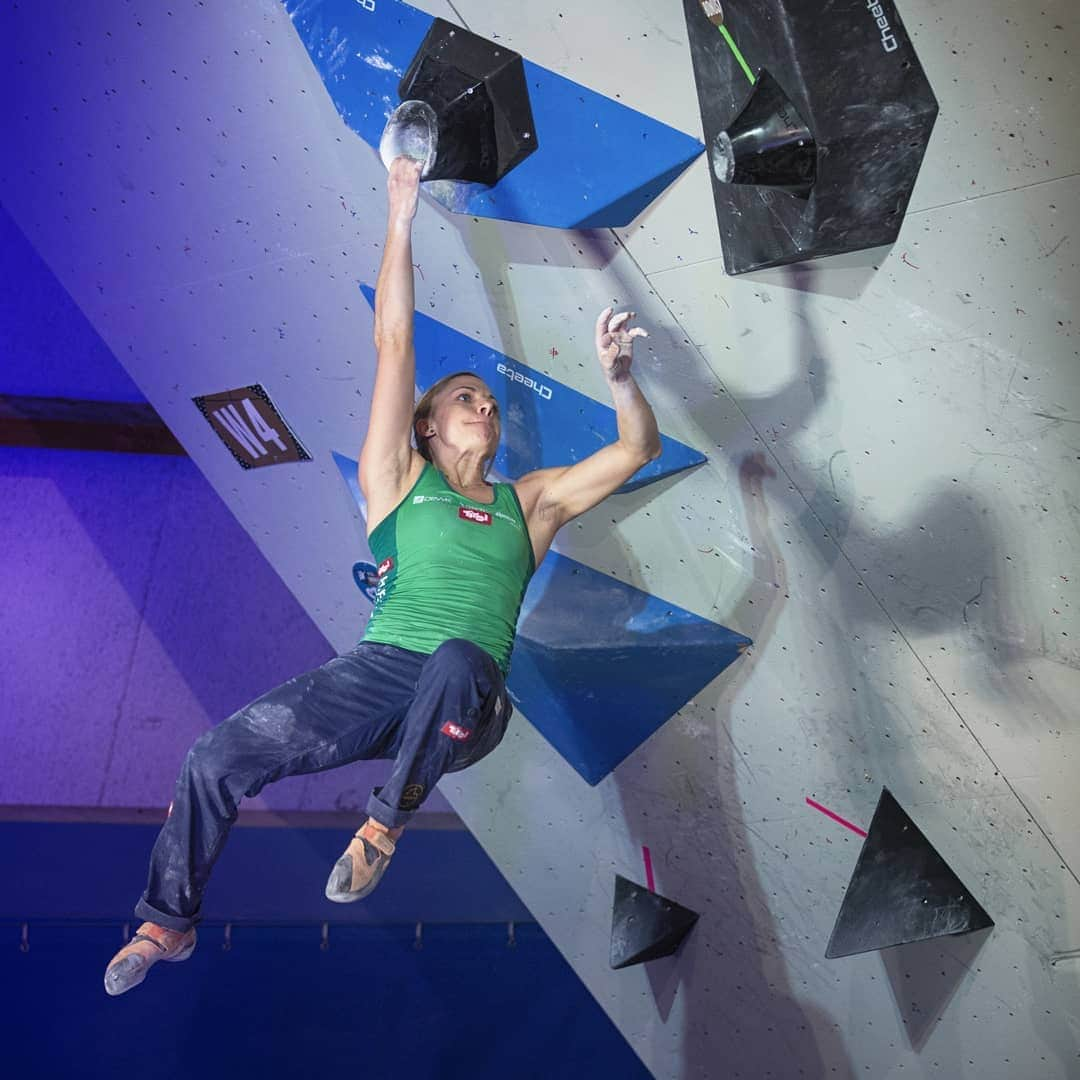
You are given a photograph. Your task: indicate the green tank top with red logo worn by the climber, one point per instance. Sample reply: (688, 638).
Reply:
(451, 568)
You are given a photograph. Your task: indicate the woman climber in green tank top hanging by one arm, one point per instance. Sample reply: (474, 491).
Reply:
(426, 685)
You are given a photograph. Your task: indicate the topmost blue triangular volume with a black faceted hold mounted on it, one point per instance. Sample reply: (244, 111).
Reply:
(569, 183)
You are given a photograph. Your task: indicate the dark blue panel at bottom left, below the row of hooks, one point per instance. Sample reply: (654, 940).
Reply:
(276, 1005)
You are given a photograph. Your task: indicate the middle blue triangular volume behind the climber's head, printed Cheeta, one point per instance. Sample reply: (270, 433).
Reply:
(545, 423)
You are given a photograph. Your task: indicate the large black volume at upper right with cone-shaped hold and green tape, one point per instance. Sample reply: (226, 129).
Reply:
(773, 73)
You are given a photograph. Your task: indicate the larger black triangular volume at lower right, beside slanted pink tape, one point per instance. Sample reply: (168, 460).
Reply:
(901, 890)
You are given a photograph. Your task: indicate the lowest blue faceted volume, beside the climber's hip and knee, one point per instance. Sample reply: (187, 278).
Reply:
(598, 665)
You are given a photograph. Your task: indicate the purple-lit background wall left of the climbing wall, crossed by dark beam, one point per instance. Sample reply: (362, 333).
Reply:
(137, 612)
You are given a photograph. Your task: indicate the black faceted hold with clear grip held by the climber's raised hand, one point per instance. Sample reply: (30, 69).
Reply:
(466, 110)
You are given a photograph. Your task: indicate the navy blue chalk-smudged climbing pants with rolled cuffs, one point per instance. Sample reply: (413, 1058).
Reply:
(431, 714)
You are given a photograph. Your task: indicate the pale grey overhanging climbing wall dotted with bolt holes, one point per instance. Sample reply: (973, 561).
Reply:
(887, 508)
